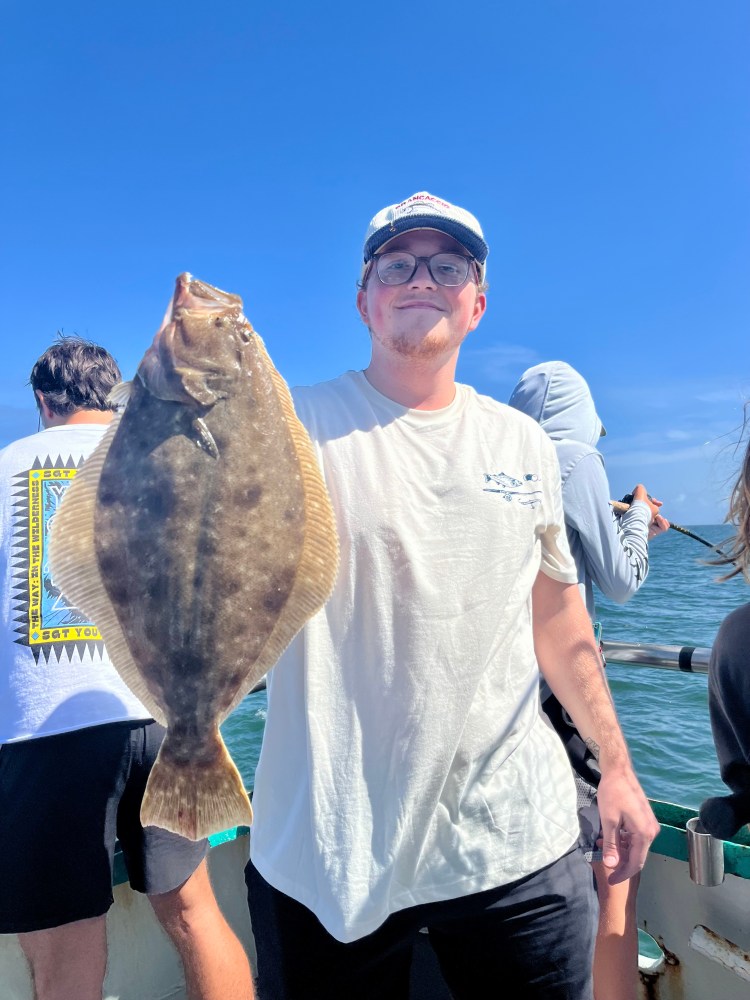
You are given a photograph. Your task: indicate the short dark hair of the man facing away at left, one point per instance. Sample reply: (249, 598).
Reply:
(74, 374)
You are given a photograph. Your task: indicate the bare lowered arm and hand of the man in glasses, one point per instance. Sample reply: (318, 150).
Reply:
(570, 662)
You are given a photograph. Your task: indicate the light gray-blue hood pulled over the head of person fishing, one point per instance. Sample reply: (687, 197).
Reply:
(559, 399)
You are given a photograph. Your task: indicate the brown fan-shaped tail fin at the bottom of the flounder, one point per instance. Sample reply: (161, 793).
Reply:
(193, 799)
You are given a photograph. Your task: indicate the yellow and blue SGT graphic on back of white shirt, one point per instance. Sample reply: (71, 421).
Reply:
(46, 622)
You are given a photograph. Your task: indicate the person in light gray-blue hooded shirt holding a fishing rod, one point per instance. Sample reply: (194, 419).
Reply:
(611, 552)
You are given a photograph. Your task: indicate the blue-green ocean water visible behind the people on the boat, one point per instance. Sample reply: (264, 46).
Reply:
(664, 714)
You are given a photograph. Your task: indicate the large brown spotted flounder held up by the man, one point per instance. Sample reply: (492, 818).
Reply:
(199, 537)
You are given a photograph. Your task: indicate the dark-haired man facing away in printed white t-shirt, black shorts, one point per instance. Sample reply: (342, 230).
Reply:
(76, 746)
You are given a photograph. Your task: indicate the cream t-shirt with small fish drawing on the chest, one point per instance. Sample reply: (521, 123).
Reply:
(404, 758)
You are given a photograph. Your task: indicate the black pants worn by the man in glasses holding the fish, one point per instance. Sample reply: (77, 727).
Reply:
(531, 939)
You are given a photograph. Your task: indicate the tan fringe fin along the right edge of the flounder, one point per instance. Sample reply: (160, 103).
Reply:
(318, 565)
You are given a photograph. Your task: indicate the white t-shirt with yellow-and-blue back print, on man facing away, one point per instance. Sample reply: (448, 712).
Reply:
(55, 674)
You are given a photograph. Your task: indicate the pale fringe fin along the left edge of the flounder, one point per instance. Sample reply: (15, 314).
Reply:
(75, 567)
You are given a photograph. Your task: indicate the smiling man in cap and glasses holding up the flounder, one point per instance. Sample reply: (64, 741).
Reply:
(407, 778)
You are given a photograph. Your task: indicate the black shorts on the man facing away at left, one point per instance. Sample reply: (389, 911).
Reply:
(63, 802)
